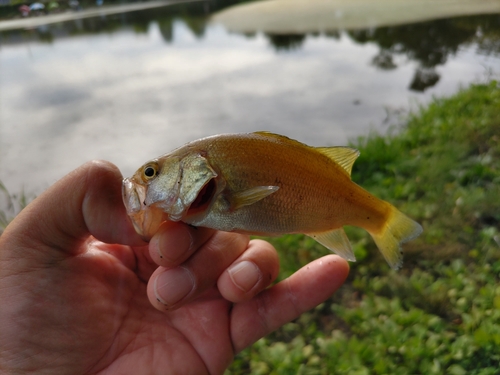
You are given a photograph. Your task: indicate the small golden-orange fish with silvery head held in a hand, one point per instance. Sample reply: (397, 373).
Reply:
(264, 184)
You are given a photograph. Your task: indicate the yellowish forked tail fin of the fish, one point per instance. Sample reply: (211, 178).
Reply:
(397, 229)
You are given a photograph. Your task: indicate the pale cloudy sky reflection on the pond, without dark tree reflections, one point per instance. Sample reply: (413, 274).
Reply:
(128, 98)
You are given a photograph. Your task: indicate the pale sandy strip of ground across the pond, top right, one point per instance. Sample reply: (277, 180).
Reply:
(300, 16)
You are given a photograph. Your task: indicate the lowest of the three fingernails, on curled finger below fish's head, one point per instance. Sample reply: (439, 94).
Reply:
(173, 285)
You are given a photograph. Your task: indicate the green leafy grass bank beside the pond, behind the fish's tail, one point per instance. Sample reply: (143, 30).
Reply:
(440, 314)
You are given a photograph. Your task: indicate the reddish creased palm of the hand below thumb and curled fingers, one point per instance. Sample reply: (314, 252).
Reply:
(107, 315)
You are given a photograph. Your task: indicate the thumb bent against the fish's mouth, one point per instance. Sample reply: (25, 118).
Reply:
(85, 202)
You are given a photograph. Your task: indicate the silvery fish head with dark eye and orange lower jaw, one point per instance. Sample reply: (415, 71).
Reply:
(167, 188)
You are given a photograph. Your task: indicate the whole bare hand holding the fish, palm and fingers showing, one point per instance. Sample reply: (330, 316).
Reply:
(82, 294)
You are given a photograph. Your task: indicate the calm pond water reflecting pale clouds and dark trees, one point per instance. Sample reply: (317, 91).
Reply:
(128, 87)
